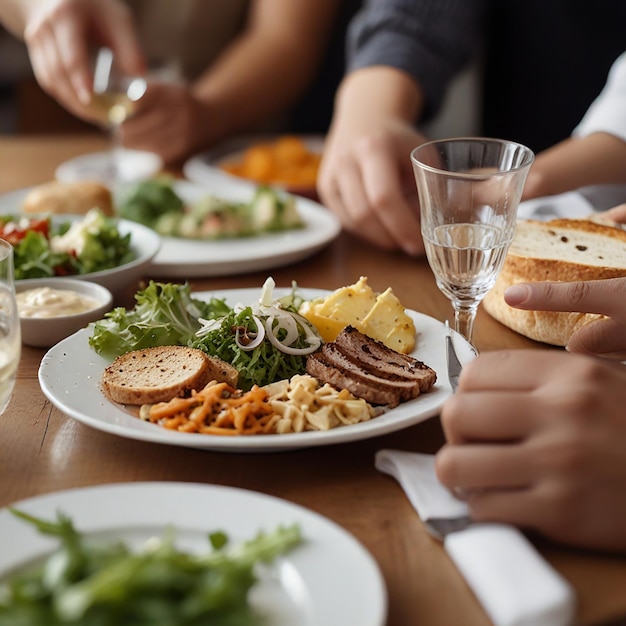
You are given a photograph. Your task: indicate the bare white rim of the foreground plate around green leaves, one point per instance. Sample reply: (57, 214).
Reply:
(145, 507)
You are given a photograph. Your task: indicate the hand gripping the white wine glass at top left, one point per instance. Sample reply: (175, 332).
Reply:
(58, 34)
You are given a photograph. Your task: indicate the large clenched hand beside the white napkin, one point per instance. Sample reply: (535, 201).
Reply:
(537, 439)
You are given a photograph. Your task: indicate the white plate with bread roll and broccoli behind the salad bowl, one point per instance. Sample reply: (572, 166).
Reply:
(211, 230)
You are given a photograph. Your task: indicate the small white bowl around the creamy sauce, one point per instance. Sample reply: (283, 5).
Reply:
(43, 332)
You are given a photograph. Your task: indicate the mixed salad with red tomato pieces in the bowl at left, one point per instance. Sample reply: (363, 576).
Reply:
(43, 248)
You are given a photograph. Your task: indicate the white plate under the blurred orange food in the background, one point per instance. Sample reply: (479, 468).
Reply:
(203, 168)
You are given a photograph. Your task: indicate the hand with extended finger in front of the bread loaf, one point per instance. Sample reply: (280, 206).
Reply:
(605, 337)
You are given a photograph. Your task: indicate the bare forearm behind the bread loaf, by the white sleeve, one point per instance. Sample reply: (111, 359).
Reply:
(599, 158)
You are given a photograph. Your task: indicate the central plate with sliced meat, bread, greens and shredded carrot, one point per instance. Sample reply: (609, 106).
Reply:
(362, 401)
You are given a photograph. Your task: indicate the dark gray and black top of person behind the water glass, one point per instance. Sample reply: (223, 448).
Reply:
(543, 61)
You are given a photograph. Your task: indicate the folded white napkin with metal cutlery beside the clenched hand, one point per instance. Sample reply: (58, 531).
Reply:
(511, 580)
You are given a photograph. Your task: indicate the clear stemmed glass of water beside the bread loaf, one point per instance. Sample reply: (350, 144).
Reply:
(469, 190)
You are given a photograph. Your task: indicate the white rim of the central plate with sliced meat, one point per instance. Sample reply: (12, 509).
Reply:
(430, 403)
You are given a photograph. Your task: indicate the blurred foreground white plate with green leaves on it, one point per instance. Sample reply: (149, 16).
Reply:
(124, 531)
